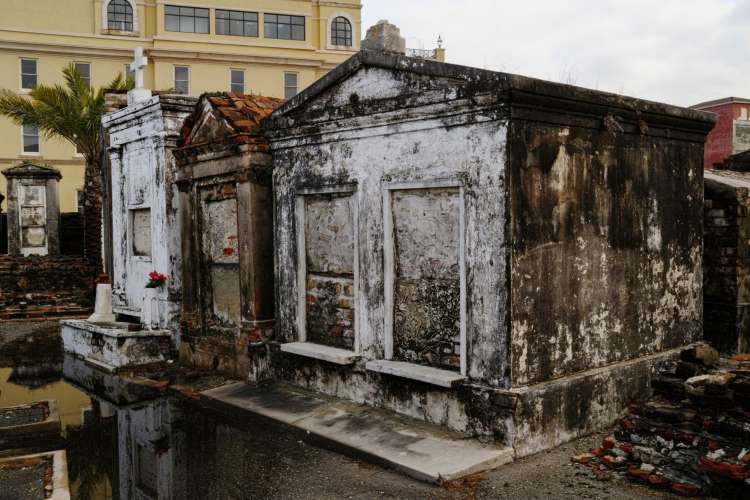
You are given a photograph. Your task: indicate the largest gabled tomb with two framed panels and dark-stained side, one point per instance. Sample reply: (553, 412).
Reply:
(504, 256)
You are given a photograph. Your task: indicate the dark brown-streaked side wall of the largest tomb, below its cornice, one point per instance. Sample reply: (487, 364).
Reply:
(606, 248)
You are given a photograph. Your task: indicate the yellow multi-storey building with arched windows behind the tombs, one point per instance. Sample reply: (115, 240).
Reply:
(270, 47)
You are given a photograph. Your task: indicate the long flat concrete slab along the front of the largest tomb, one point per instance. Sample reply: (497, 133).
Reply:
(423, 451)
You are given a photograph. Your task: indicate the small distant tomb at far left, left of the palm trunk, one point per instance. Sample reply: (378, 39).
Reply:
(33, 209)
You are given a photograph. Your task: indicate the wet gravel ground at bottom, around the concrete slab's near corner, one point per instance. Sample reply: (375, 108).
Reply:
(306, 472)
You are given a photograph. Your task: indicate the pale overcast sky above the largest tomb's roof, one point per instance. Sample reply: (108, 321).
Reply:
(675, 51)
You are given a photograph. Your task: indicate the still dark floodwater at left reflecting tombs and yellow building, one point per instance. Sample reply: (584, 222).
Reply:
(128, 441)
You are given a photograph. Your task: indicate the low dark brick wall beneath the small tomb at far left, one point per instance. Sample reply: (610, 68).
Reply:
(39, 287)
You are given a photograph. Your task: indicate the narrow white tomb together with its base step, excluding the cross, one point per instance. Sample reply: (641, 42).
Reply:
(145, 238)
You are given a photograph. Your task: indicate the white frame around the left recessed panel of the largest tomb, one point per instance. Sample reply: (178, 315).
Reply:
(302, 193)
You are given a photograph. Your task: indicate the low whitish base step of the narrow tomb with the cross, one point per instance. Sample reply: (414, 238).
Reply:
(113, 346)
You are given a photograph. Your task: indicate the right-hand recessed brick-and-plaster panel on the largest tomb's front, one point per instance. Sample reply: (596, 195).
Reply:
(427, 293)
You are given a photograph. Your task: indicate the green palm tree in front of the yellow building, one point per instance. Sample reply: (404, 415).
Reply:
(73, 112)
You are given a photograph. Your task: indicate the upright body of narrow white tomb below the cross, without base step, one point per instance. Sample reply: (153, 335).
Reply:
(145, 225)
